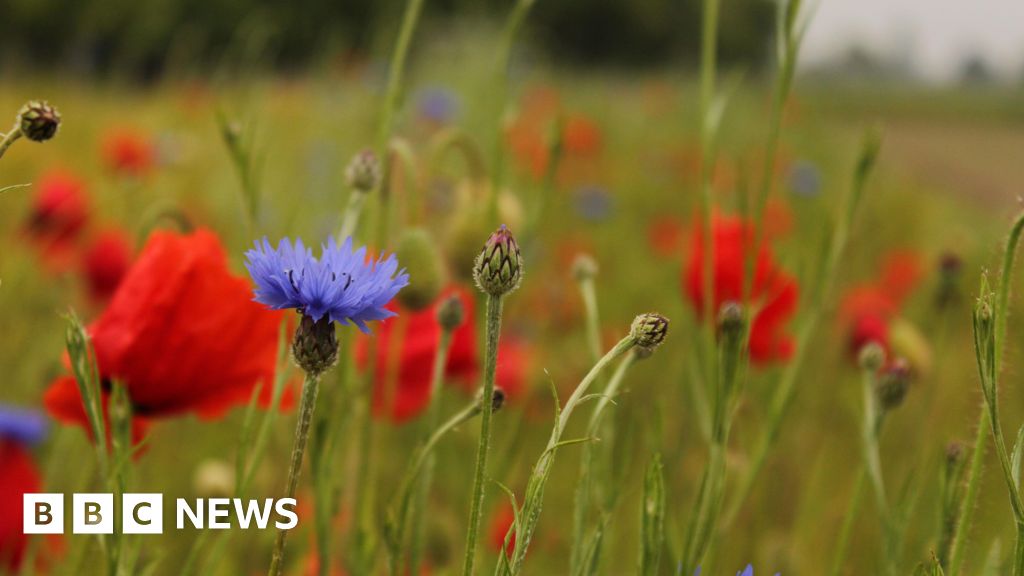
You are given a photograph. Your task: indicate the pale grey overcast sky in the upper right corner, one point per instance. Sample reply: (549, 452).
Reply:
(936, 35)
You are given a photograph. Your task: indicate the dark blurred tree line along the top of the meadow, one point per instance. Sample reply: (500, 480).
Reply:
(144, 38)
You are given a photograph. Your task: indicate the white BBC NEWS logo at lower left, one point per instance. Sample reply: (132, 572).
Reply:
(144, 514)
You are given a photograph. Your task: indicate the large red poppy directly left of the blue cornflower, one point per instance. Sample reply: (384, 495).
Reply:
(182, 333)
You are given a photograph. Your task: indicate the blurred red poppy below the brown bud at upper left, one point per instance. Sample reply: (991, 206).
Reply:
(60, 212)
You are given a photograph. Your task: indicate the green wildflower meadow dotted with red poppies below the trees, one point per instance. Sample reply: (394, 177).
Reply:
(882, 209)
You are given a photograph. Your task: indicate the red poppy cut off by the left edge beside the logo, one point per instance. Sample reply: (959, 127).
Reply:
(19, 476)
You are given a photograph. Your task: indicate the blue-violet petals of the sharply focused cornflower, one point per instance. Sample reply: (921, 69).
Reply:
(340, 285)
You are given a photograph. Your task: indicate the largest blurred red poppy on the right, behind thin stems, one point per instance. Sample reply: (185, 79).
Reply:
(775, 294)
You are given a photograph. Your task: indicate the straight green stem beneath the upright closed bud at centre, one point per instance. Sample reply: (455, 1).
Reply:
(494, 325)
